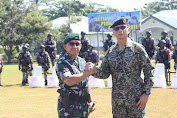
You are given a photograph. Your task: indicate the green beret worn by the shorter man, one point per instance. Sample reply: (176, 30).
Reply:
(71, 36)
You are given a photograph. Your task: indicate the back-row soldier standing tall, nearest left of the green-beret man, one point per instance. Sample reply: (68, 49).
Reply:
(51, 48)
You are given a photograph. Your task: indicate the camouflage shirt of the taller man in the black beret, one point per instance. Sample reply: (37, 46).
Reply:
(125, 65)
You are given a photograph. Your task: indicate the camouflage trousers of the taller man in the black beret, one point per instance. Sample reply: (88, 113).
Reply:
(123, 111)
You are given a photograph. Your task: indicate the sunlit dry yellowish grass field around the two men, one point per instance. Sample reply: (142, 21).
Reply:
(18, 101)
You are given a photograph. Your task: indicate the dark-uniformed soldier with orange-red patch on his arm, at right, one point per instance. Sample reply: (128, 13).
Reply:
(163, 56)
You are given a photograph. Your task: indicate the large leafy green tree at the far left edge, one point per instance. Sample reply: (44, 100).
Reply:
(19, 24)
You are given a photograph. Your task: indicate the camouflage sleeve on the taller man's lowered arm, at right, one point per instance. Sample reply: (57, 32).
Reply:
(147, 68)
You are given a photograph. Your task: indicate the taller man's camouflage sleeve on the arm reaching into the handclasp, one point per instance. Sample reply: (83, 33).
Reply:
(103, 71)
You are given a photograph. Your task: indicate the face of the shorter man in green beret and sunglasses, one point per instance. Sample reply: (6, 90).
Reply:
(73, 47)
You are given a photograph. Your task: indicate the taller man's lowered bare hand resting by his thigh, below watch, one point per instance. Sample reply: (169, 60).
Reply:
(142, 102)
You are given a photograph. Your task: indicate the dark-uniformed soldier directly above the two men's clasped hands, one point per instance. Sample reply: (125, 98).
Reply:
(91, 56)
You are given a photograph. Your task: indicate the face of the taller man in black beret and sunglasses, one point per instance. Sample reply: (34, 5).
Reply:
(121, 31)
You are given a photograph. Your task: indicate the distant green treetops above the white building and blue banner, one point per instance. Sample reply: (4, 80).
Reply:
(74, 8)
